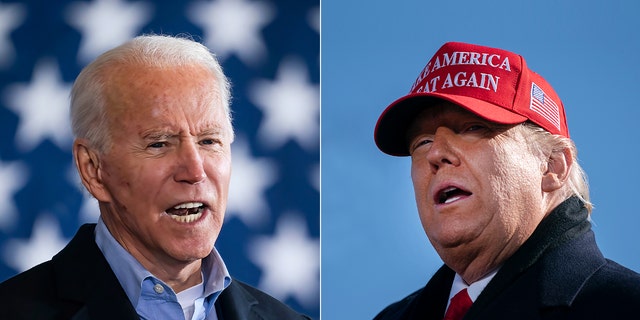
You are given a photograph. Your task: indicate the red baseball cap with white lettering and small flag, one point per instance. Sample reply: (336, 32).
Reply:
(493, 83)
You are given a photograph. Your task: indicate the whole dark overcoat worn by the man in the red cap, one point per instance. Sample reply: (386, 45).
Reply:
(558, 273)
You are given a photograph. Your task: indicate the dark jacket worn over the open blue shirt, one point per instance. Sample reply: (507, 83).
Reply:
(78, 283)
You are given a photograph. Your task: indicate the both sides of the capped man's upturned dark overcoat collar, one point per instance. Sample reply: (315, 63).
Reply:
(547, 271)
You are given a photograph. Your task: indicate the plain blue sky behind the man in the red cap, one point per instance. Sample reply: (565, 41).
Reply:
(374, 250)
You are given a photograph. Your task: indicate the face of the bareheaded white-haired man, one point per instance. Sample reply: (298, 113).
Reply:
(165, 179)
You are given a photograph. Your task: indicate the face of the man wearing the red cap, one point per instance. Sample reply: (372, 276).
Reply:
(478, 188)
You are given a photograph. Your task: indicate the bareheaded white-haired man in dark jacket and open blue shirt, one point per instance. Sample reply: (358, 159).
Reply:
(153, 133)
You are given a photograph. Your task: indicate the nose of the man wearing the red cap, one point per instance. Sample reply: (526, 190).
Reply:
(443, 151)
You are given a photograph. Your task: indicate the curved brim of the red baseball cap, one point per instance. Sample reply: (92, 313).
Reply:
(391, 130)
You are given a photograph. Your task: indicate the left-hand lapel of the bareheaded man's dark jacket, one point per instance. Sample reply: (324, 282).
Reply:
(90, 281)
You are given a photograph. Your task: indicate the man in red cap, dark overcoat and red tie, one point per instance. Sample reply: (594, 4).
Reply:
(500, 195)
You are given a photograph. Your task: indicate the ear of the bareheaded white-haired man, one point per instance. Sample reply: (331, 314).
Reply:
(90, 169)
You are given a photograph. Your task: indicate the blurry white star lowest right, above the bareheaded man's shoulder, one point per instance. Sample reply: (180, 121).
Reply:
(289, 259)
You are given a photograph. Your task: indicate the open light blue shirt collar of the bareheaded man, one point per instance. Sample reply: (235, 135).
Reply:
(131, 273)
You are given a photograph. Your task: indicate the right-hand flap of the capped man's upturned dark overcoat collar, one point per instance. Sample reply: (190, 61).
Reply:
(558, 258)
